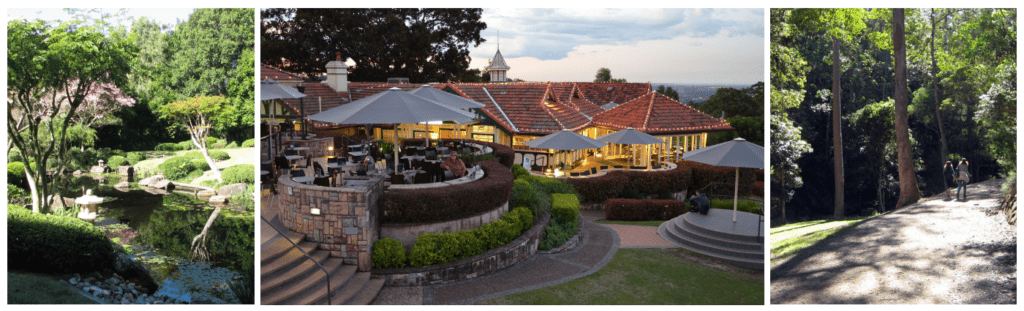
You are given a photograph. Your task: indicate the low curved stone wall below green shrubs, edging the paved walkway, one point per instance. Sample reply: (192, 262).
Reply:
(485, 264)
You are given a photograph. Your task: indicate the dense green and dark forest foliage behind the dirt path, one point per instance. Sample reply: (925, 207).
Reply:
(961, 80)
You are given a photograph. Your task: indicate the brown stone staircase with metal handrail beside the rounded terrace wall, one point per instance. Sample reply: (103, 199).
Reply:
(288, 278)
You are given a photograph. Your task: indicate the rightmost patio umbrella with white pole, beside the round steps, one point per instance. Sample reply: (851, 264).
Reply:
(738, 153)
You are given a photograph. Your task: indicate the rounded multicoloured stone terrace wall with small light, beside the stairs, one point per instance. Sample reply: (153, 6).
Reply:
(348, 225)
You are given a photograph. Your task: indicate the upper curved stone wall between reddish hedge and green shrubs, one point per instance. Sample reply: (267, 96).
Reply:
(407, 234)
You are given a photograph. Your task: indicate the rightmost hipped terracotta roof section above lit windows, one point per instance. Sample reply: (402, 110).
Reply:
(656, 114)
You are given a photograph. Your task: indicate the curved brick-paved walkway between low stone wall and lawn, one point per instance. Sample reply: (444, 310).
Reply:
(595, 251)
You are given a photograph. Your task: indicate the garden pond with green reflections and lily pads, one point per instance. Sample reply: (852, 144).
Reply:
(160, 229)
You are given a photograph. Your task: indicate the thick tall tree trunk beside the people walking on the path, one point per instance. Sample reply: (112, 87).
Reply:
(909, 193)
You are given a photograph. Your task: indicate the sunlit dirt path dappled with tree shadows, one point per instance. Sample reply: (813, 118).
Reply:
(933, 252)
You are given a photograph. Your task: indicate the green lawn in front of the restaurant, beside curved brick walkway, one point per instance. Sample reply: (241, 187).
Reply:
(639, 277)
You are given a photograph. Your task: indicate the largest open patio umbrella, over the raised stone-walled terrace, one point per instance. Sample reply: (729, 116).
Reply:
(392, 107)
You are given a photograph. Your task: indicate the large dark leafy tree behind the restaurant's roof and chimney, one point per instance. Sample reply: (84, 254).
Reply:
(424, 46)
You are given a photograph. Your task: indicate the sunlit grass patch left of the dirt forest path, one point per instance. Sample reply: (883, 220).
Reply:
(788, 240)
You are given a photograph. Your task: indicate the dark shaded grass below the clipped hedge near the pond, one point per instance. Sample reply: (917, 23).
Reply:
(39, 289)
